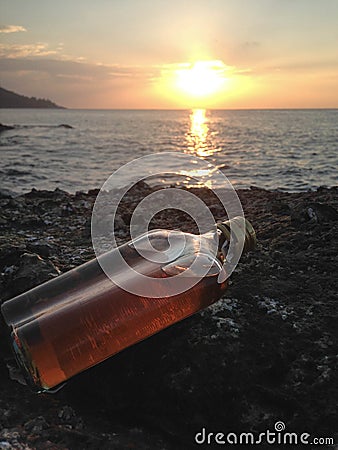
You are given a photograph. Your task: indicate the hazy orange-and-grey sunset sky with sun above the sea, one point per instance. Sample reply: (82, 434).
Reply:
(173, 53)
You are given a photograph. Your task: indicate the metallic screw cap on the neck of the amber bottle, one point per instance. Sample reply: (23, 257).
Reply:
(238, 226)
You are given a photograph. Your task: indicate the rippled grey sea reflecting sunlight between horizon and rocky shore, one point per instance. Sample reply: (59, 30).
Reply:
(292, 150)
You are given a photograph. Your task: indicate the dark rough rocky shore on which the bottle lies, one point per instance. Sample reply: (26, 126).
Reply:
(267, 352)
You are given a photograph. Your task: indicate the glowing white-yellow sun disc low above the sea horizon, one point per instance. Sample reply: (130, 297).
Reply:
(201, 78)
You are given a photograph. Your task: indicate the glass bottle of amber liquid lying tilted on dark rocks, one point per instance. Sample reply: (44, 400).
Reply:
(82, 317)
